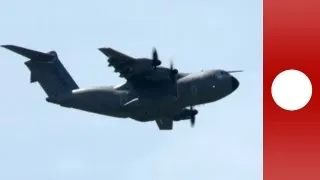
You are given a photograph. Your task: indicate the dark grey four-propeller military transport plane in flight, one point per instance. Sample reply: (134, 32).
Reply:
(151, 92)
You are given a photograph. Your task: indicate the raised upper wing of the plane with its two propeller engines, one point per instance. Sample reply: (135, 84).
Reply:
(144, 74)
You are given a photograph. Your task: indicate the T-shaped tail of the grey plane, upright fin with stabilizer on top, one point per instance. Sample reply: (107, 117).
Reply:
(47, 69)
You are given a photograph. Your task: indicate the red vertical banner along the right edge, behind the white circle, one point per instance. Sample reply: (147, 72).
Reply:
(291, 40)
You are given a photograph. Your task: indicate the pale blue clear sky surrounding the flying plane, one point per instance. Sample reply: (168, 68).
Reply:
(44, 141)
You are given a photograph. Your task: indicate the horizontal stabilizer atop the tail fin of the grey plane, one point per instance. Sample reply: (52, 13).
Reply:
(31, 54)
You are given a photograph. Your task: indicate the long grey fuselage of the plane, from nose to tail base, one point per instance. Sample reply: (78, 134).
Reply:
(193, 89)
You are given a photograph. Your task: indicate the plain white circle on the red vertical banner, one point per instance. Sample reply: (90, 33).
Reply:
(291, 90)
